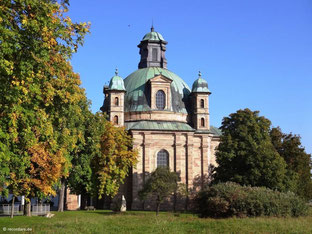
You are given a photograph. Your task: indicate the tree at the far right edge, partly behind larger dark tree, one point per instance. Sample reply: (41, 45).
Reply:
(297, 160)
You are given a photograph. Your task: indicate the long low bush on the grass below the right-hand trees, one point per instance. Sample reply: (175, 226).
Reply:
(230, 199)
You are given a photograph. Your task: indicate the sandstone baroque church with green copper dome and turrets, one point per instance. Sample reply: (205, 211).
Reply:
(169, 122)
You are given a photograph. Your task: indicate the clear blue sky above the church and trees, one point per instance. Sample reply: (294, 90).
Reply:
(255, 54)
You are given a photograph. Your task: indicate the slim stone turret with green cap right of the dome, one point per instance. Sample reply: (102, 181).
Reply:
(200, 101)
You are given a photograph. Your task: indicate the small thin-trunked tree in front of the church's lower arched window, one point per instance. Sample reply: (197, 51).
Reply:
(161, 184)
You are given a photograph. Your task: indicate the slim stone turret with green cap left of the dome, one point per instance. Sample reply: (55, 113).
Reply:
(116, 99)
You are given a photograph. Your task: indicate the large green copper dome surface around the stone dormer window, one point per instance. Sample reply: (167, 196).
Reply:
(137, 97)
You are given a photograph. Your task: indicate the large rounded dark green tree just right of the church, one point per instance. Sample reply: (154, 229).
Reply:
(246, 154)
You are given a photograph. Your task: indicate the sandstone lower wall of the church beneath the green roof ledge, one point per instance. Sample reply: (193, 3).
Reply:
(189, 155)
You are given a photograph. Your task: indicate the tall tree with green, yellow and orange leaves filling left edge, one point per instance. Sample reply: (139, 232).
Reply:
(41, 97)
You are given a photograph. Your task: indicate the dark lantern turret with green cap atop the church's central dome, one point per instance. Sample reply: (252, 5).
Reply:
(152, 50)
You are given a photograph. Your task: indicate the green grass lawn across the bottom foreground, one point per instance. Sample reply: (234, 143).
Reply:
(146, 222)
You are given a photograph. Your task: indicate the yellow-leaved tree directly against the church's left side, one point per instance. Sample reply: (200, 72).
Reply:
(117, 156)
